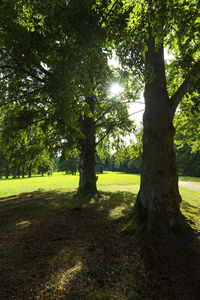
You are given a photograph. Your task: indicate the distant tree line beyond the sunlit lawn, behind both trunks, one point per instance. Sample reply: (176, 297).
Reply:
(20, 164)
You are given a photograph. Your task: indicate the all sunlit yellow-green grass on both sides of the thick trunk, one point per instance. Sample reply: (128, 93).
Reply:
(108, 182)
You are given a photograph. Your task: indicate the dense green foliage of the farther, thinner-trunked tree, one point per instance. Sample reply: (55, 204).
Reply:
(42, 82)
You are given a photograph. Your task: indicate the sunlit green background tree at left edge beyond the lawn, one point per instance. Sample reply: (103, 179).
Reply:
(24, 143)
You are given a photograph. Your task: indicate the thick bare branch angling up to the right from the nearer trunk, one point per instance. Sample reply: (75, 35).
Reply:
(178, 95)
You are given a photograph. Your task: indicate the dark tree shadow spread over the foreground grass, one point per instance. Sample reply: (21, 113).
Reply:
(57, 245)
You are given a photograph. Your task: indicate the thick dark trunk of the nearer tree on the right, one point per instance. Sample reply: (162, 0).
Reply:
(158, 201)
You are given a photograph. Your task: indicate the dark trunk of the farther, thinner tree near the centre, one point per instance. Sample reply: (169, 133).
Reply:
(87, 179)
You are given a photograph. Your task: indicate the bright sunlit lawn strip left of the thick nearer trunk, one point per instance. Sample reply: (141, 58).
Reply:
(109, 181)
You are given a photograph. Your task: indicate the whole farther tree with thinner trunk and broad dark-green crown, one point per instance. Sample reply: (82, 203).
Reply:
(62, 88)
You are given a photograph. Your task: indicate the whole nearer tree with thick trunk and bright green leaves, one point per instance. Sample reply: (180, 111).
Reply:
(141, 31)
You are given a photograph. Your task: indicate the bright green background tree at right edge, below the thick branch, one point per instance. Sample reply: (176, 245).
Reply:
(187, 138)
